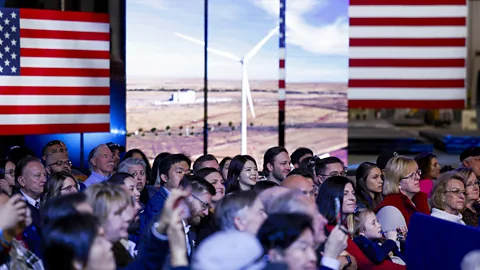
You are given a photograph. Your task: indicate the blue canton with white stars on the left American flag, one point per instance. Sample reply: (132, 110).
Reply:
(9, 42)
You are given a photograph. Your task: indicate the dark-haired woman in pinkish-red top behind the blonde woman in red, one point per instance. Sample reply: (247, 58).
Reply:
(428, 165)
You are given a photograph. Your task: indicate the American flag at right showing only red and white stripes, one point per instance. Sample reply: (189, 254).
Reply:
(407, 54)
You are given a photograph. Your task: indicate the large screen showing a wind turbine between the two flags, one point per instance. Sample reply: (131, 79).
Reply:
(165, 76)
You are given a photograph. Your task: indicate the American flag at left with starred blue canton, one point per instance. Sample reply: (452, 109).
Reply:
(54, 72)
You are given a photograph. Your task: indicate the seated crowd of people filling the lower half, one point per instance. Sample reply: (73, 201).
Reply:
(298, 212)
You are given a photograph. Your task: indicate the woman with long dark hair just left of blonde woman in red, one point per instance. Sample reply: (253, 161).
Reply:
(369, 185)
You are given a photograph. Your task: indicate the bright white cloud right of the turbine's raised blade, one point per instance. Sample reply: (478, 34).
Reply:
(322, 39)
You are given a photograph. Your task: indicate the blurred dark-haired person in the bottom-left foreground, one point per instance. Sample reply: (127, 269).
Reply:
(76, 242)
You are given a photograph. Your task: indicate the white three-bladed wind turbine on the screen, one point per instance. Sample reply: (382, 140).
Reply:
(246, 93)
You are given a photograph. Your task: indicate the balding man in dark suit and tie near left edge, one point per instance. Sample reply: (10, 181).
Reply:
(30, 176)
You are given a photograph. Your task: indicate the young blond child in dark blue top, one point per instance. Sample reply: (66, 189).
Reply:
(369, 239)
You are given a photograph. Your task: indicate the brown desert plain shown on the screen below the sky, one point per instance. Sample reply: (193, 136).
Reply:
(316, 117)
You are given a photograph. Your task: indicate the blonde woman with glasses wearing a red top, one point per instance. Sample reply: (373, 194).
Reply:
(402, 196)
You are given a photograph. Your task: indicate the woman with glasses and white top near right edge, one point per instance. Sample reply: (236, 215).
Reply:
(449, 197)
